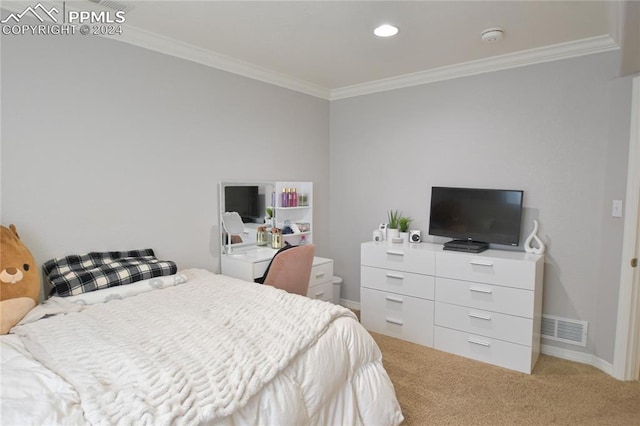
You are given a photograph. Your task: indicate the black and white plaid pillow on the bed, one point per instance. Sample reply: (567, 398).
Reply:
(77, 274)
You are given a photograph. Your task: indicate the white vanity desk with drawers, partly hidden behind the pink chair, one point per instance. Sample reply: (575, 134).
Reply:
(251, 263)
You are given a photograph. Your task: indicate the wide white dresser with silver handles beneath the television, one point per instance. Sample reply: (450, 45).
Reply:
(484, 306)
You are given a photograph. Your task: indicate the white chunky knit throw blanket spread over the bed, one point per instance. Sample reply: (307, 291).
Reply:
(188, 354)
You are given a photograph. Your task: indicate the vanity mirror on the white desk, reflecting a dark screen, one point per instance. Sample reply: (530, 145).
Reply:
(250, 201)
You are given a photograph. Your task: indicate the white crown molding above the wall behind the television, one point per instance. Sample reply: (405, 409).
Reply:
(556, 52)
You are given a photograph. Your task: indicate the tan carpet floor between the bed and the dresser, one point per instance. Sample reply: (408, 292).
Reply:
(437, 388)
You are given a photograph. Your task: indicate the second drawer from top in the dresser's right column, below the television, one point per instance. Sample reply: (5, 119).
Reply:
(512, 301)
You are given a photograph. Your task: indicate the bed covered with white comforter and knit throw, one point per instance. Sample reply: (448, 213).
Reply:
(193, 348)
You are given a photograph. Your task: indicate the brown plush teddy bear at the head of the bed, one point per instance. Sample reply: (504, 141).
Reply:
(19, 279)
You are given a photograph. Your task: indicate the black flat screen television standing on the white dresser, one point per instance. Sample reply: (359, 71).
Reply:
(475, 218)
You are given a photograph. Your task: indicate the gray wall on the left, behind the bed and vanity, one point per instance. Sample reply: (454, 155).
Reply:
(106, 146)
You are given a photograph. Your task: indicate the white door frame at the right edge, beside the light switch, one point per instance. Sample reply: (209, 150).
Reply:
(626, 359)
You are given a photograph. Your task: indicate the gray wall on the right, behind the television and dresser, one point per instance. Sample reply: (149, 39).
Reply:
(559, 131)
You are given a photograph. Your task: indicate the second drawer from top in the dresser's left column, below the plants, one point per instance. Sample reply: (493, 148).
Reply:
(399, 282)
